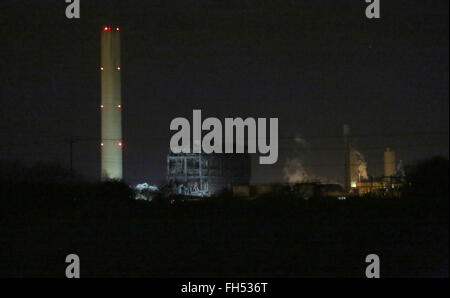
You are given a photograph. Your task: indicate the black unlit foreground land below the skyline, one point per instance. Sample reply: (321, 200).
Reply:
(120, 237)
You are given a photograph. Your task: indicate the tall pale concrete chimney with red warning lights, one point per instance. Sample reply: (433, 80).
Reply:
(111, 105)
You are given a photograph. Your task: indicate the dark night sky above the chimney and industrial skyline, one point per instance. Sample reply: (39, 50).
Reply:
(315, 65)
